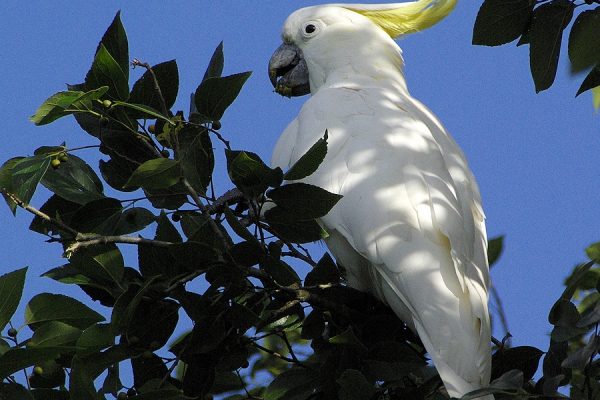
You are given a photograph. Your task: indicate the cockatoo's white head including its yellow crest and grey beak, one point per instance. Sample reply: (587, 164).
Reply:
(320, 39)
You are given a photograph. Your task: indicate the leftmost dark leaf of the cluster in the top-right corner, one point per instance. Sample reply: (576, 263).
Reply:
(501, 21)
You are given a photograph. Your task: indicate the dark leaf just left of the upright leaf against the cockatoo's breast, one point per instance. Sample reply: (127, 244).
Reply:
(250, 174)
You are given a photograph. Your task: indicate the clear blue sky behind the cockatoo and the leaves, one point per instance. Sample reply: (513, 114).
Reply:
(535, 156)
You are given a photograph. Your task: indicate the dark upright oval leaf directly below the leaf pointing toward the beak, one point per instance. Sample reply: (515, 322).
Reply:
(196, 157)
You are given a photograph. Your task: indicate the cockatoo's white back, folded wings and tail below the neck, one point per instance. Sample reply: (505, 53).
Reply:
(411, 209)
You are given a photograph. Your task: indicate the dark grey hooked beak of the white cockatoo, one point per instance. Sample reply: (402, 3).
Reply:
(288, 63)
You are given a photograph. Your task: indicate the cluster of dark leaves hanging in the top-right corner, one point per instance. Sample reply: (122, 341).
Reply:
(541, 24)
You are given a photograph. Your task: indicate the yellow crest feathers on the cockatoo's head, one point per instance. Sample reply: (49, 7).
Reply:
(400, 18)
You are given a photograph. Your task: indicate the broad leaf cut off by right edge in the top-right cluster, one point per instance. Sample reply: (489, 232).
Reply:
(584, 46)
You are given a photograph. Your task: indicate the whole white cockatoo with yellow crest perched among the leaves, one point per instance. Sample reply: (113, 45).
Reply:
(410, 227)
